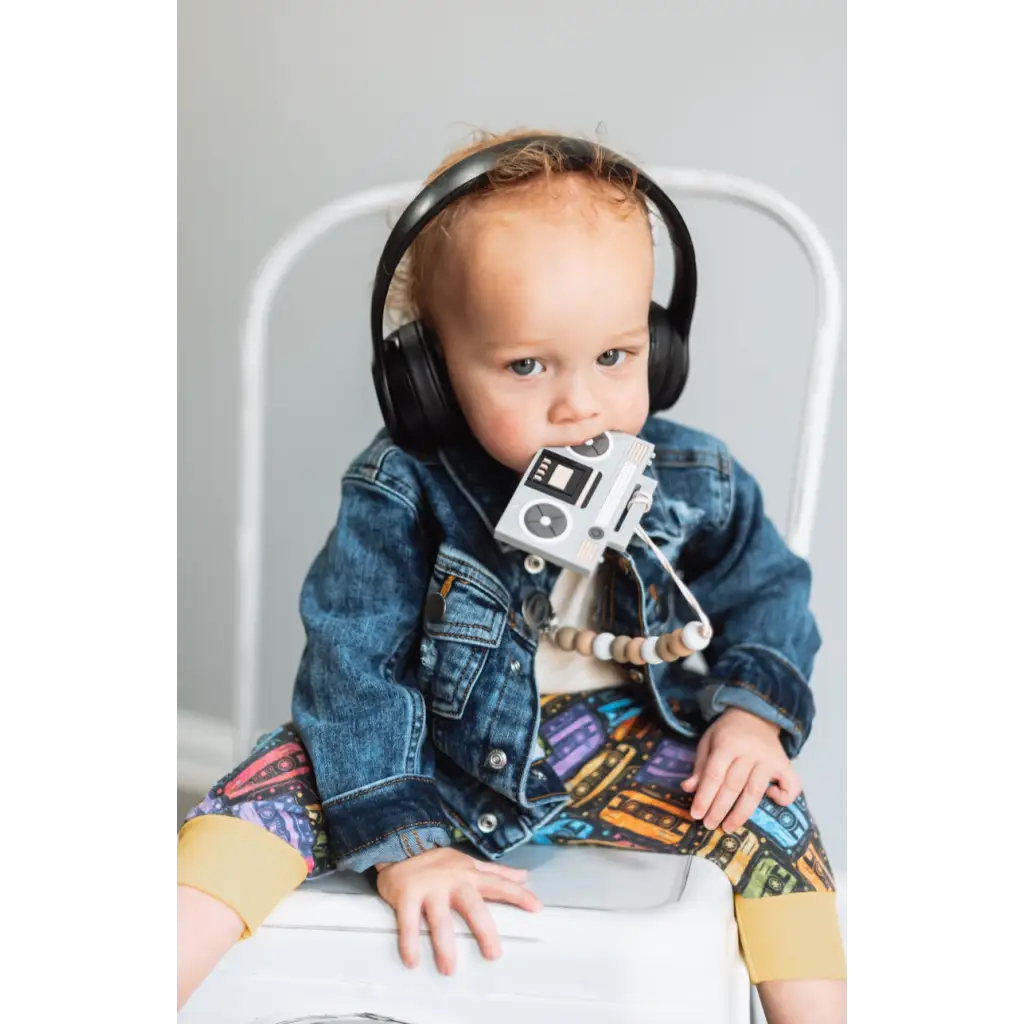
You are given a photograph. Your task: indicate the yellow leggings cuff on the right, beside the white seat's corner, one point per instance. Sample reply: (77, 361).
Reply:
(796, 936)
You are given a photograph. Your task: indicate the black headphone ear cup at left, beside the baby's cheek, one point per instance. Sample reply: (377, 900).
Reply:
(414, 391)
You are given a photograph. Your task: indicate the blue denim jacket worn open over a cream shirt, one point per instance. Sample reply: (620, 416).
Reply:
(417, 727)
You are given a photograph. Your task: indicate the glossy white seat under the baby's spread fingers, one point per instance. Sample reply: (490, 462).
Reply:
(623, 937)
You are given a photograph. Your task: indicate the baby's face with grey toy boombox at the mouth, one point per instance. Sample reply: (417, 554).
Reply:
(542, 315)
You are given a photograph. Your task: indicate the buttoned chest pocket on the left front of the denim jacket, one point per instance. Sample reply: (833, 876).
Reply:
(466, 611)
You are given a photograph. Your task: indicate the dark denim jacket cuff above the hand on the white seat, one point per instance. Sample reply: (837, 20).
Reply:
(387, 823)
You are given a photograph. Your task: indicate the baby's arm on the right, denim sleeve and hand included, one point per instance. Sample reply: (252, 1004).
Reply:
(757, 593)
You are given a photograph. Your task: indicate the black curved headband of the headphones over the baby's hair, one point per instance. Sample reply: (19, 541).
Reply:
(473, 175)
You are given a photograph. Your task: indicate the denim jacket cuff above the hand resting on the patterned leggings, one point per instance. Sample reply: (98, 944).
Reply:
(764, 684)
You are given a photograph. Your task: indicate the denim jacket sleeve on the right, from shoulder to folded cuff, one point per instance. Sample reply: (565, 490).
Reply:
(756, 592)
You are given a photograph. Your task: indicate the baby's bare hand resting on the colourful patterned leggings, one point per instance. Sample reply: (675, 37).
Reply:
(738, 758)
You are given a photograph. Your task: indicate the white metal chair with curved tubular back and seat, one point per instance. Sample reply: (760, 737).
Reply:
(331, 949)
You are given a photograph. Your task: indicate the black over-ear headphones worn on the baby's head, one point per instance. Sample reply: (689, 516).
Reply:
(420, 411)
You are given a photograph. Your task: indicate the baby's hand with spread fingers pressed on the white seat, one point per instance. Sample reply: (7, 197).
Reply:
(432, 883)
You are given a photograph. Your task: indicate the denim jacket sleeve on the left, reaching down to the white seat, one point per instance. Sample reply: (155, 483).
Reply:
(356, 702)
